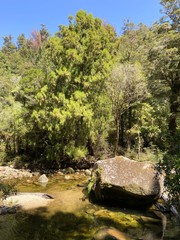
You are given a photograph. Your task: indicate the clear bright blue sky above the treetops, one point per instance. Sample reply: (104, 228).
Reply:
(24, 16)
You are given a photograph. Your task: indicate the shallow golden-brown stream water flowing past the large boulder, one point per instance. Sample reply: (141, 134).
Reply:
(71, 216)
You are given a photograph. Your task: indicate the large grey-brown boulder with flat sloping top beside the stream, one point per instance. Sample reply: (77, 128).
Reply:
(126, 182)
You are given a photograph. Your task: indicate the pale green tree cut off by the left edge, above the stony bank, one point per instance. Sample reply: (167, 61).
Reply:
(9, 109)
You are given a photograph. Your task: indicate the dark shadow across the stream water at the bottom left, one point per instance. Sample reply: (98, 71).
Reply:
(61, 225)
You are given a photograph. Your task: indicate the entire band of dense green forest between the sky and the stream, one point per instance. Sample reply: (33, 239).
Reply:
(87, 93)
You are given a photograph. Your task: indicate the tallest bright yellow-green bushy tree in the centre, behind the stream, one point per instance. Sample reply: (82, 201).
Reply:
(69, 106)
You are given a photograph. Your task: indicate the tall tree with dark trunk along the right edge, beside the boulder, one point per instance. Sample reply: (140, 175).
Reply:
(165, 77)
